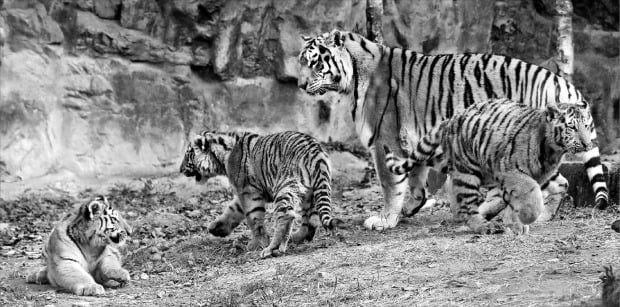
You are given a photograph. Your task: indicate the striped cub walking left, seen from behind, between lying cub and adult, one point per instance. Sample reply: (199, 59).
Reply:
(290, 169)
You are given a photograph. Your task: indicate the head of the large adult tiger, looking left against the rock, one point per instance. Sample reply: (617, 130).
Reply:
(326, 65)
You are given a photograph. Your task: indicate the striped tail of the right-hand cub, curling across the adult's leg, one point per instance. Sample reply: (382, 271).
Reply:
(425, 153)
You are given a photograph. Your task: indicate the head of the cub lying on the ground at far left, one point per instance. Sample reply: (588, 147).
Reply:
(98, 225)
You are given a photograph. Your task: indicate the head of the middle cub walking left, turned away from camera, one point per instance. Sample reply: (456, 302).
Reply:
(201, 159)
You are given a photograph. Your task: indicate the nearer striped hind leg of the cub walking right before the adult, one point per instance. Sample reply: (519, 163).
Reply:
(466, 191)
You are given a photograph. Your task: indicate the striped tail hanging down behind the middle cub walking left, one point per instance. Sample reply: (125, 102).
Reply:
(322, 195)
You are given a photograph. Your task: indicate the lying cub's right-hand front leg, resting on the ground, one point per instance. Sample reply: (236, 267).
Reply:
(109, 271)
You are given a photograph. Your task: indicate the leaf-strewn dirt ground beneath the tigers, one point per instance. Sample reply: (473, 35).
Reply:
(428, 260)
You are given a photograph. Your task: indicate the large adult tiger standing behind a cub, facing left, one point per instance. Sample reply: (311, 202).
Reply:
(399, 95)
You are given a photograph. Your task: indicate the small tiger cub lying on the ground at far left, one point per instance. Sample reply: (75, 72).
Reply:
(81, 253)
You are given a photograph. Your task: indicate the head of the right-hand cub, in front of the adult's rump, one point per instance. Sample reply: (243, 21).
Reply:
(570, 126)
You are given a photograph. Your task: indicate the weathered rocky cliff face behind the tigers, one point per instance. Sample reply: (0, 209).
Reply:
(104, 87)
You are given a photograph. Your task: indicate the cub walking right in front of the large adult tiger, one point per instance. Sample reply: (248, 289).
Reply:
(500, 144)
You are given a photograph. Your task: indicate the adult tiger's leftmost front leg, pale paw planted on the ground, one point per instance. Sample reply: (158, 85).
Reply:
(394, 188)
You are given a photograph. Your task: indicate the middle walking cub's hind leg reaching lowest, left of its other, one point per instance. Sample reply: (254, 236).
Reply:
(286, 200)
